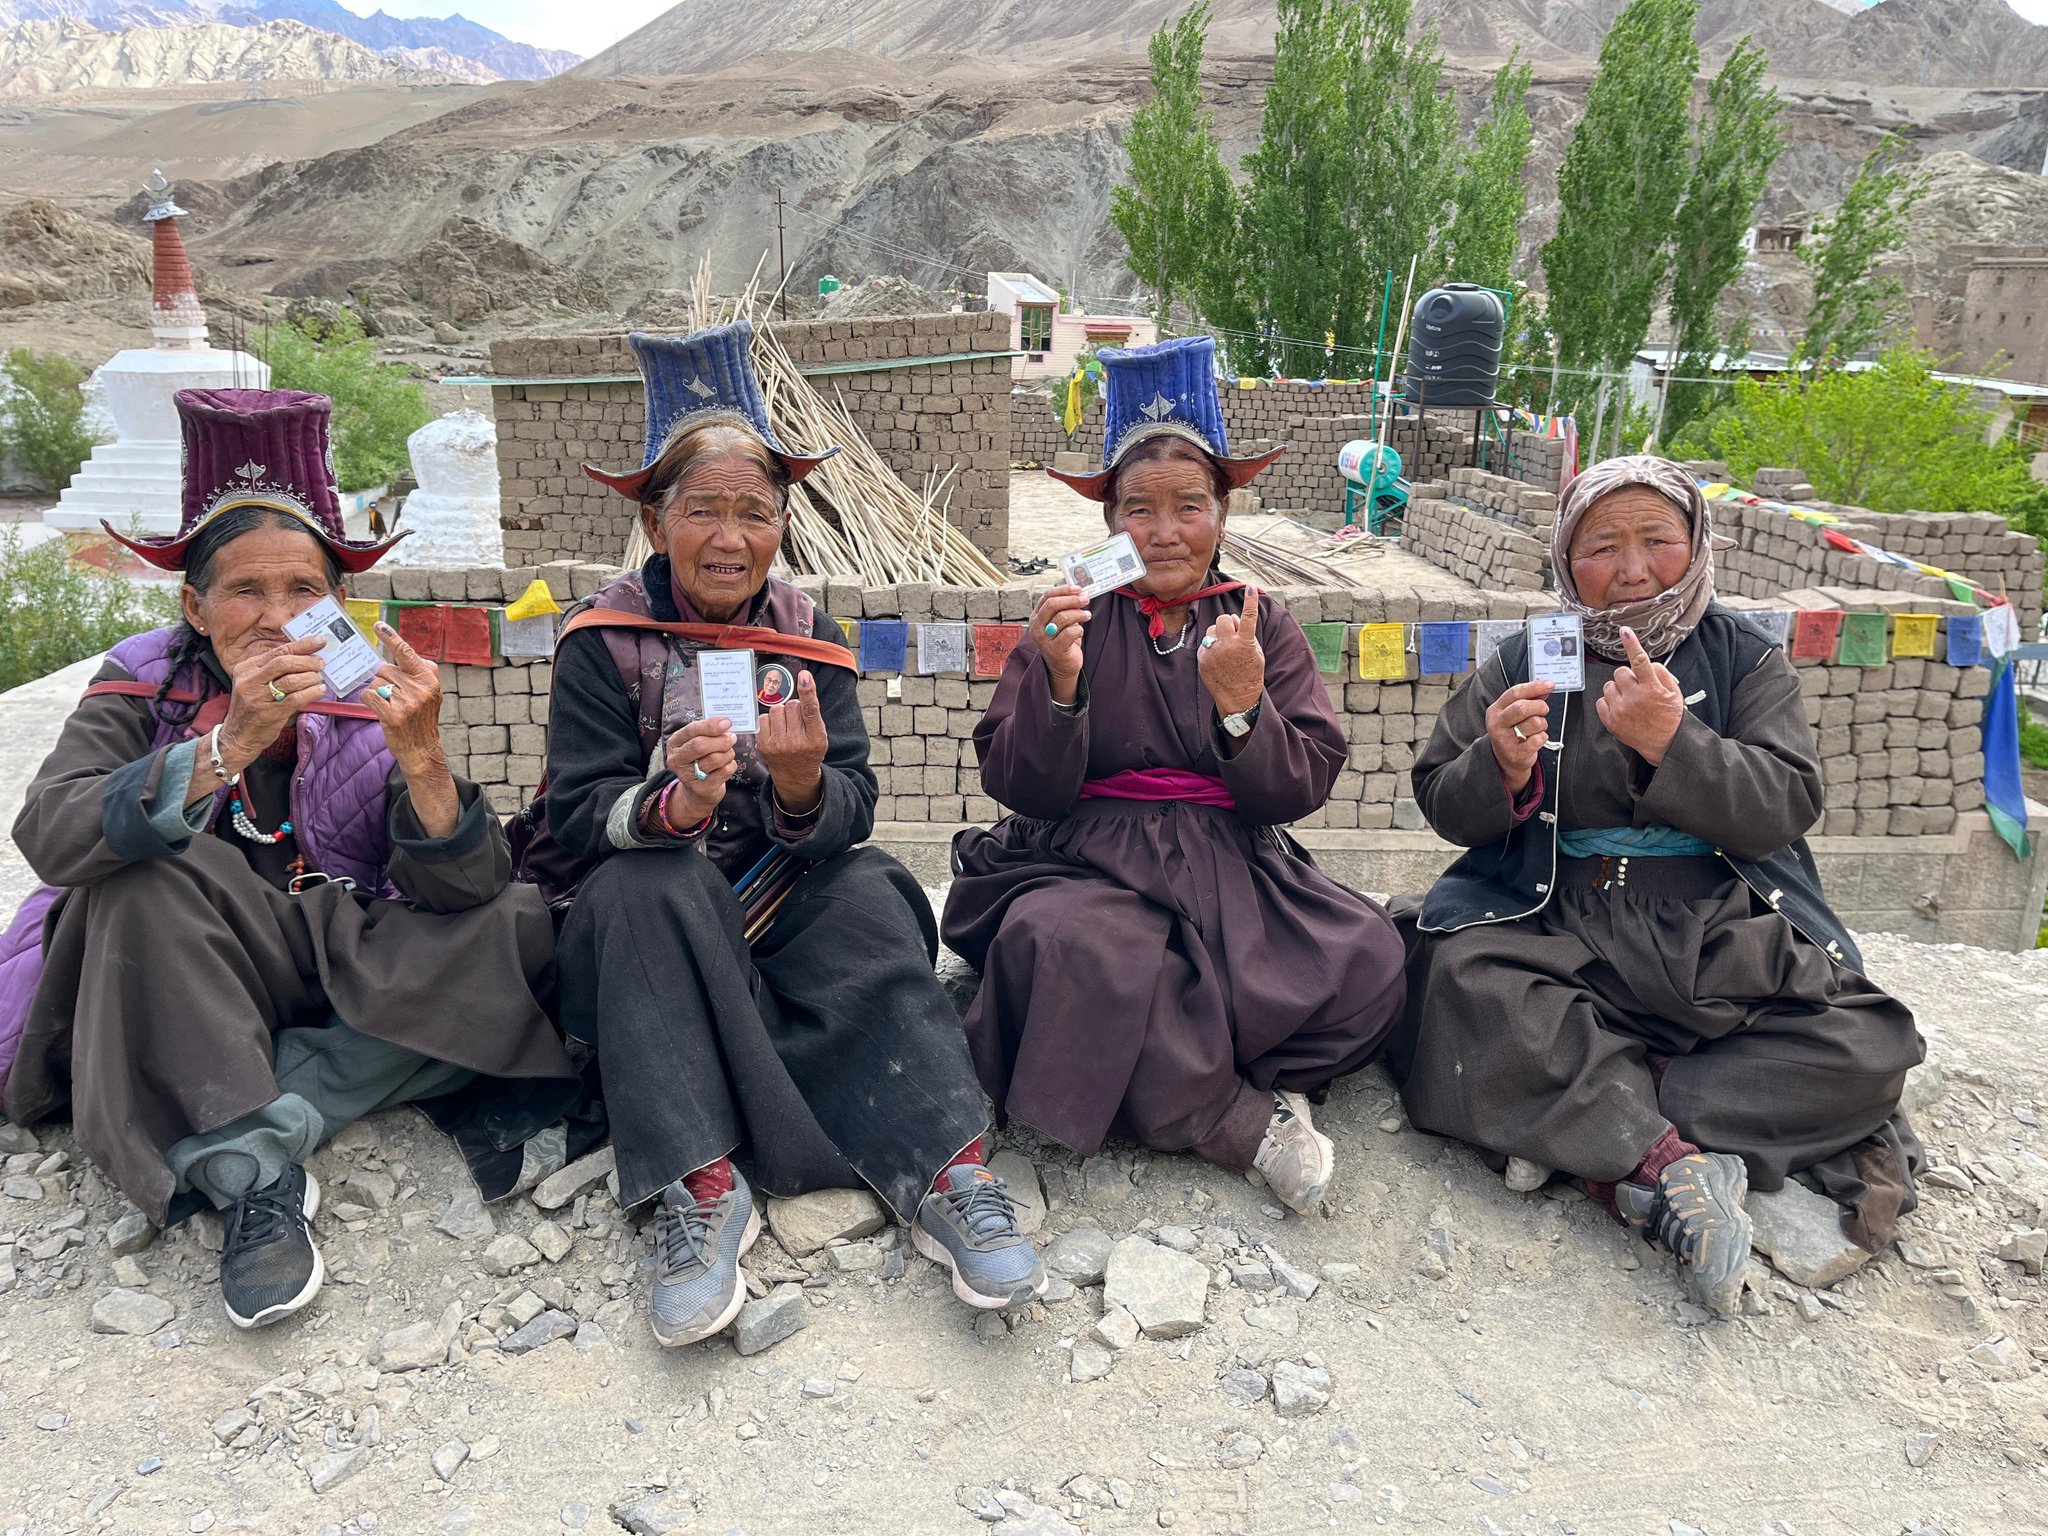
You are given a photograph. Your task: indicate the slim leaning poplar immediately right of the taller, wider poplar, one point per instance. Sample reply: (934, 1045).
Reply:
(1736, 144)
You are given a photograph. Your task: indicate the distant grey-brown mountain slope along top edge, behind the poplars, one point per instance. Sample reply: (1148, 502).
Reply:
(1893, 44)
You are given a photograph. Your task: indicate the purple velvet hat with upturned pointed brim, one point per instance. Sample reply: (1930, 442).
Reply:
(257, 447)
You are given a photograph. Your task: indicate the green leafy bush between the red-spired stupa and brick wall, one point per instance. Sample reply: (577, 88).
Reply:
(376, 404)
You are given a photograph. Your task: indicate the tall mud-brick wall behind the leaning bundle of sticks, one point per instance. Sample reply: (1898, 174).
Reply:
(923, 419)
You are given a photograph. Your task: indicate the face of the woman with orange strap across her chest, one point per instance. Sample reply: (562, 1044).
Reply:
(720, 529)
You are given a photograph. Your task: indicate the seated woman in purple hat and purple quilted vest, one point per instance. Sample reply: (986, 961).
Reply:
(269, 912)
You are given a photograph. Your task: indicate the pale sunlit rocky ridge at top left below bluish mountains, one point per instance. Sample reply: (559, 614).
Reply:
(46, 56)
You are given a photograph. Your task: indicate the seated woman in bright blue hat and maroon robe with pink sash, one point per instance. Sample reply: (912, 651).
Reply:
(1158, 957)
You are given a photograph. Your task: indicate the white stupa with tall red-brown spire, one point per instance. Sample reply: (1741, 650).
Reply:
(134, 480)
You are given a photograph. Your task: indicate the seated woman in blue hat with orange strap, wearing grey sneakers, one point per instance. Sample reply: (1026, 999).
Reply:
(757, 982)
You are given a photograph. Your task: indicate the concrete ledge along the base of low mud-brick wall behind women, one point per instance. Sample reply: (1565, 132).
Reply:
(1957, 888)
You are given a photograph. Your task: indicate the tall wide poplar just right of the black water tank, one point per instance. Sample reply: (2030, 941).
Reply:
(1619, 189)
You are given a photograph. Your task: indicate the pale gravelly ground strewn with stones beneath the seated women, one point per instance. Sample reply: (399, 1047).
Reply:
(1469, 1361)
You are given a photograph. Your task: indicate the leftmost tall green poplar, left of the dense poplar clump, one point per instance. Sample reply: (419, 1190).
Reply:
(1177, 202)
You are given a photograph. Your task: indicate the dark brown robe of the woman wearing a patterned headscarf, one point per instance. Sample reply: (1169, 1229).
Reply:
(1537, 1037)
